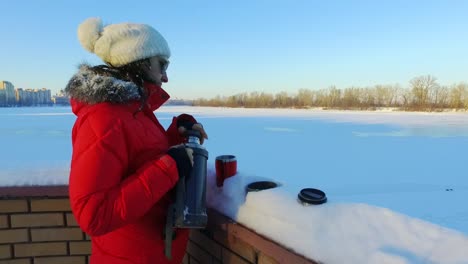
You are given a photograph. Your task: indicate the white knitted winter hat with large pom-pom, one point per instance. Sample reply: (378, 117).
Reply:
(120, 44)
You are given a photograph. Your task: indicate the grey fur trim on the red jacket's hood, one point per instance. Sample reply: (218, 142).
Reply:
(87, 86)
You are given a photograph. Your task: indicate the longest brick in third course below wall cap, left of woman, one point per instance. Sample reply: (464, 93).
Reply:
(56, 234)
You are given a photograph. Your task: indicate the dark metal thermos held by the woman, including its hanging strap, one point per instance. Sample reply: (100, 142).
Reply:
(189, 209)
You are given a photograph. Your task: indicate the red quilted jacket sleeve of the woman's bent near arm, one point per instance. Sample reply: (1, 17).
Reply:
(100, 200)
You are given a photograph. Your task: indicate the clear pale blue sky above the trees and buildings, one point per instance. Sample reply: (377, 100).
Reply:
(229, 47)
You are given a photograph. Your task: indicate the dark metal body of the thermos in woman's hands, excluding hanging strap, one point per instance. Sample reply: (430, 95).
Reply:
(191, 206)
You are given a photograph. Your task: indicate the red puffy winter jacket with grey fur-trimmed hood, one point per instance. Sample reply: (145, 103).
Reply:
(120, 177)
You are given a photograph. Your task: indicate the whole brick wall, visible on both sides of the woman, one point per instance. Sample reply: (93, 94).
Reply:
(37, 227)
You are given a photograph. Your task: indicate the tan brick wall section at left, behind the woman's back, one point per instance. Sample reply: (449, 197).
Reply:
(40, 229)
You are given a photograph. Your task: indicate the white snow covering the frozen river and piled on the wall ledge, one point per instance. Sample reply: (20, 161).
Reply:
(396, 182)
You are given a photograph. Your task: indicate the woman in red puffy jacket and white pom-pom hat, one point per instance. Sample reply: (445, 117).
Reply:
(123, 166)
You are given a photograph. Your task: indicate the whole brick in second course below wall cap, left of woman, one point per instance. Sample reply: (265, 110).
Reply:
(34, 220)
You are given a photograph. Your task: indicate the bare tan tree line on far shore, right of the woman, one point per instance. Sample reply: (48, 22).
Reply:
(423, 94)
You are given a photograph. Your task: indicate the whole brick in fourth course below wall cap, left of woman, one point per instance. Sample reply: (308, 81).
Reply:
(40, 249)
